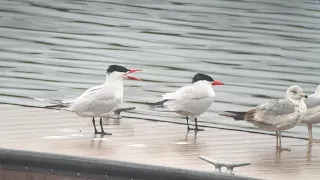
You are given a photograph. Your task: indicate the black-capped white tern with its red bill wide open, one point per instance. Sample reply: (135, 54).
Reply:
(101, 100)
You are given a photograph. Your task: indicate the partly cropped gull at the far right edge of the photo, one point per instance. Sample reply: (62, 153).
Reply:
(312, 116)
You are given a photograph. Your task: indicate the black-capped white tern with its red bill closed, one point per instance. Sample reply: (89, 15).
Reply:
(193, 100)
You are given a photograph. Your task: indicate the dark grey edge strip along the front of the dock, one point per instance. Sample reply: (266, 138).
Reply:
(101, 167)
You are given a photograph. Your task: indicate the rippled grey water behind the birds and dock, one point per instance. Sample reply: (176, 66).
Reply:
(57, 49)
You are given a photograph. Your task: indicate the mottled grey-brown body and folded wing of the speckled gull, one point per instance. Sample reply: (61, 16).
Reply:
(273, 112)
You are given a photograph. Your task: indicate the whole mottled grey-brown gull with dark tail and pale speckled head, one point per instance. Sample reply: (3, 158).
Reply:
(275, 115)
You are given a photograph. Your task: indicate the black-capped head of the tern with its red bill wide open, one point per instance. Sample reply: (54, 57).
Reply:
(119, 72)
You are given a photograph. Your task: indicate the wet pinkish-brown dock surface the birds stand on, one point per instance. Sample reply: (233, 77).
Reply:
(157, 143)
